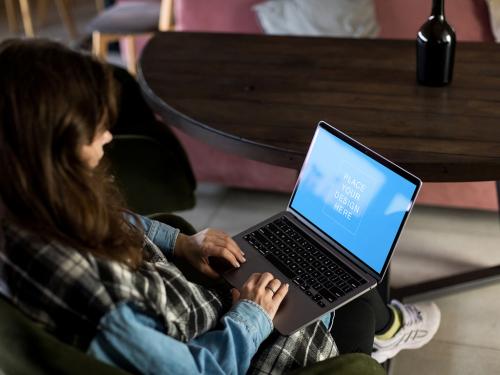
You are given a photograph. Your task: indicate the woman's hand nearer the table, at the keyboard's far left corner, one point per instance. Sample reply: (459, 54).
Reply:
(208, 243)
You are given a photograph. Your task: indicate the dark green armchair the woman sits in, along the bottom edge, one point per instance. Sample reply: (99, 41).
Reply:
(26, 349)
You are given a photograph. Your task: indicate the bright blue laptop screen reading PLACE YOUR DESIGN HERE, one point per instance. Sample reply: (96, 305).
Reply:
(354, 199)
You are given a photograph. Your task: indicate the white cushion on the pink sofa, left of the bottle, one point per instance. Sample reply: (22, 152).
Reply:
(341, 18)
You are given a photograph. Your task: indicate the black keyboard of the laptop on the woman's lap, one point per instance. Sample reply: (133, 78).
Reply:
(319, 274)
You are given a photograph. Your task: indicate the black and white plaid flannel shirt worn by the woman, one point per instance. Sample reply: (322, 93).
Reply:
(69, 292)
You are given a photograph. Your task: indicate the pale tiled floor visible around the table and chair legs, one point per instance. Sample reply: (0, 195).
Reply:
(436, 242)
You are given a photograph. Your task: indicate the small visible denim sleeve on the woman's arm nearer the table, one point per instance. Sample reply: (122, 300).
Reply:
(162, 235)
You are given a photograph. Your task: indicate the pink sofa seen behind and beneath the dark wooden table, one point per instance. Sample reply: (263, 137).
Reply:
(398, 19)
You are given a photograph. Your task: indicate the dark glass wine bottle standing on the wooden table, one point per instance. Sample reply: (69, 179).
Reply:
(435, 49)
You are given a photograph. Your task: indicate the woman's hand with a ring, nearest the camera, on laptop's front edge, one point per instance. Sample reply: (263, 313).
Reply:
(263, 289)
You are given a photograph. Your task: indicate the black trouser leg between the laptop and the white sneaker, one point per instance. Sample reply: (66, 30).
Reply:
(356, 323)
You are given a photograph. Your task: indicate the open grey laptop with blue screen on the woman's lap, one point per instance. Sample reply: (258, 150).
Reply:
(335, 239)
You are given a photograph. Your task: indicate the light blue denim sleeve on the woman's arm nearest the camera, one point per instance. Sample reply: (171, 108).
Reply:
(132, 340)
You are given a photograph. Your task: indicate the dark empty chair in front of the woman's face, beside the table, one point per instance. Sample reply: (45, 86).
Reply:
(147, 161)
